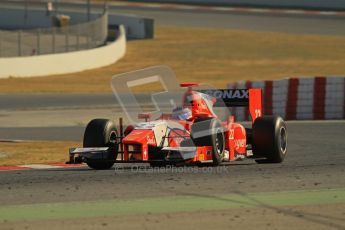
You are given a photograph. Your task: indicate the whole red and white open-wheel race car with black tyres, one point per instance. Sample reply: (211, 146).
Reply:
(191, 134)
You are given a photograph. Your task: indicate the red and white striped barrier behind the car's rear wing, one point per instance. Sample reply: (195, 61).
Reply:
(315, 98)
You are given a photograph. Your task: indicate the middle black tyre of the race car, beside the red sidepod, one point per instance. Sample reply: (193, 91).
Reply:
(209, 132)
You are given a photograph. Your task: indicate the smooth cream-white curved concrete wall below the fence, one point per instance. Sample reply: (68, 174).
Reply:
(64, 63)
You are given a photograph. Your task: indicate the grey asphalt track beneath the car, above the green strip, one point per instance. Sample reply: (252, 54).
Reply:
(315, 160)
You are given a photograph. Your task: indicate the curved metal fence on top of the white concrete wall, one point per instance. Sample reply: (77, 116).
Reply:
(54, 39)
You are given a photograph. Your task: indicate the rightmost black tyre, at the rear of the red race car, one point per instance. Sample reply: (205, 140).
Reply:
(269, 139)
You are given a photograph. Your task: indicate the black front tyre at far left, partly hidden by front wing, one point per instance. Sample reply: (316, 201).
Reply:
(101, 133)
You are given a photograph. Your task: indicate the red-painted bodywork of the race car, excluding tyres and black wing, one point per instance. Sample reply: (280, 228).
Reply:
(138, 144)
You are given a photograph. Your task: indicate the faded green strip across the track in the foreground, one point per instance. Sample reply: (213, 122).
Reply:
(168, 205)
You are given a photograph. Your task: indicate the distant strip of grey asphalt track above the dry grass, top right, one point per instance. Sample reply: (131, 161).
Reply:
(301, 24)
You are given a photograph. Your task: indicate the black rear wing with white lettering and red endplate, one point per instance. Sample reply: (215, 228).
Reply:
(251, 98)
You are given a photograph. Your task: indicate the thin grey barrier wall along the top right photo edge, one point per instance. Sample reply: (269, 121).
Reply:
(308, 4)
